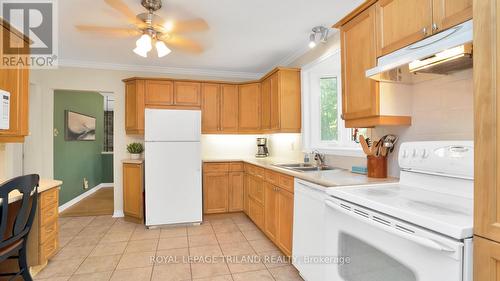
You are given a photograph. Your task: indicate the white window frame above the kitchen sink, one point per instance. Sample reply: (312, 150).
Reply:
(311, 109)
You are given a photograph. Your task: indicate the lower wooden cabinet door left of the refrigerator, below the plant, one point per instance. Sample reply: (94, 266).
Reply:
(133, 179)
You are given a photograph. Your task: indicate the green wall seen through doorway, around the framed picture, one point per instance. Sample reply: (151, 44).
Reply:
(76, 160)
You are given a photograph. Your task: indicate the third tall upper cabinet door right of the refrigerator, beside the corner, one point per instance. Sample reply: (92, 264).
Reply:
(249, 107)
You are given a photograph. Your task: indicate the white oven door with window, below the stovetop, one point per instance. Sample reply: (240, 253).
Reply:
(366, 245)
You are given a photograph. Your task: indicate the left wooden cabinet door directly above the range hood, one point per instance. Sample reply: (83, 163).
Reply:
(401, 23)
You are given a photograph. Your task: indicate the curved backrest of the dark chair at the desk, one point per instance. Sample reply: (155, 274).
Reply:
(12, 231)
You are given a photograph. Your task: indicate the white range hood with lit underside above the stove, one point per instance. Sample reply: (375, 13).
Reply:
(444, 53)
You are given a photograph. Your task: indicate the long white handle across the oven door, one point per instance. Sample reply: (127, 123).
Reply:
(423, 241)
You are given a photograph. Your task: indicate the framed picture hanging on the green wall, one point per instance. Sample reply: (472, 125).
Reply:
(79, 127)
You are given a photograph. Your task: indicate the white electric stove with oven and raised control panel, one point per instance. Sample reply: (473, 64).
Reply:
(419, 229)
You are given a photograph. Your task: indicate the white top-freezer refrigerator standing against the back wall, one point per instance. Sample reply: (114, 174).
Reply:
(173, 166)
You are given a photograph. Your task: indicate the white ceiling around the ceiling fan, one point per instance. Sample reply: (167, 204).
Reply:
(245, 36)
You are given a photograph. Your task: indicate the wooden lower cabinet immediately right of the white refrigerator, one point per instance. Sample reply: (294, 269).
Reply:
(223, 187)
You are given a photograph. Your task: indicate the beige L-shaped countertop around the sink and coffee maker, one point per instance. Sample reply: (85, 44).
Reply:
(334, 178)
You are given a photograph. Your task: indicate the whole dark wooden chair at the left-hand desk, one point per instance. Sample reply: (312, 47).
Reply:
(14, 233)
